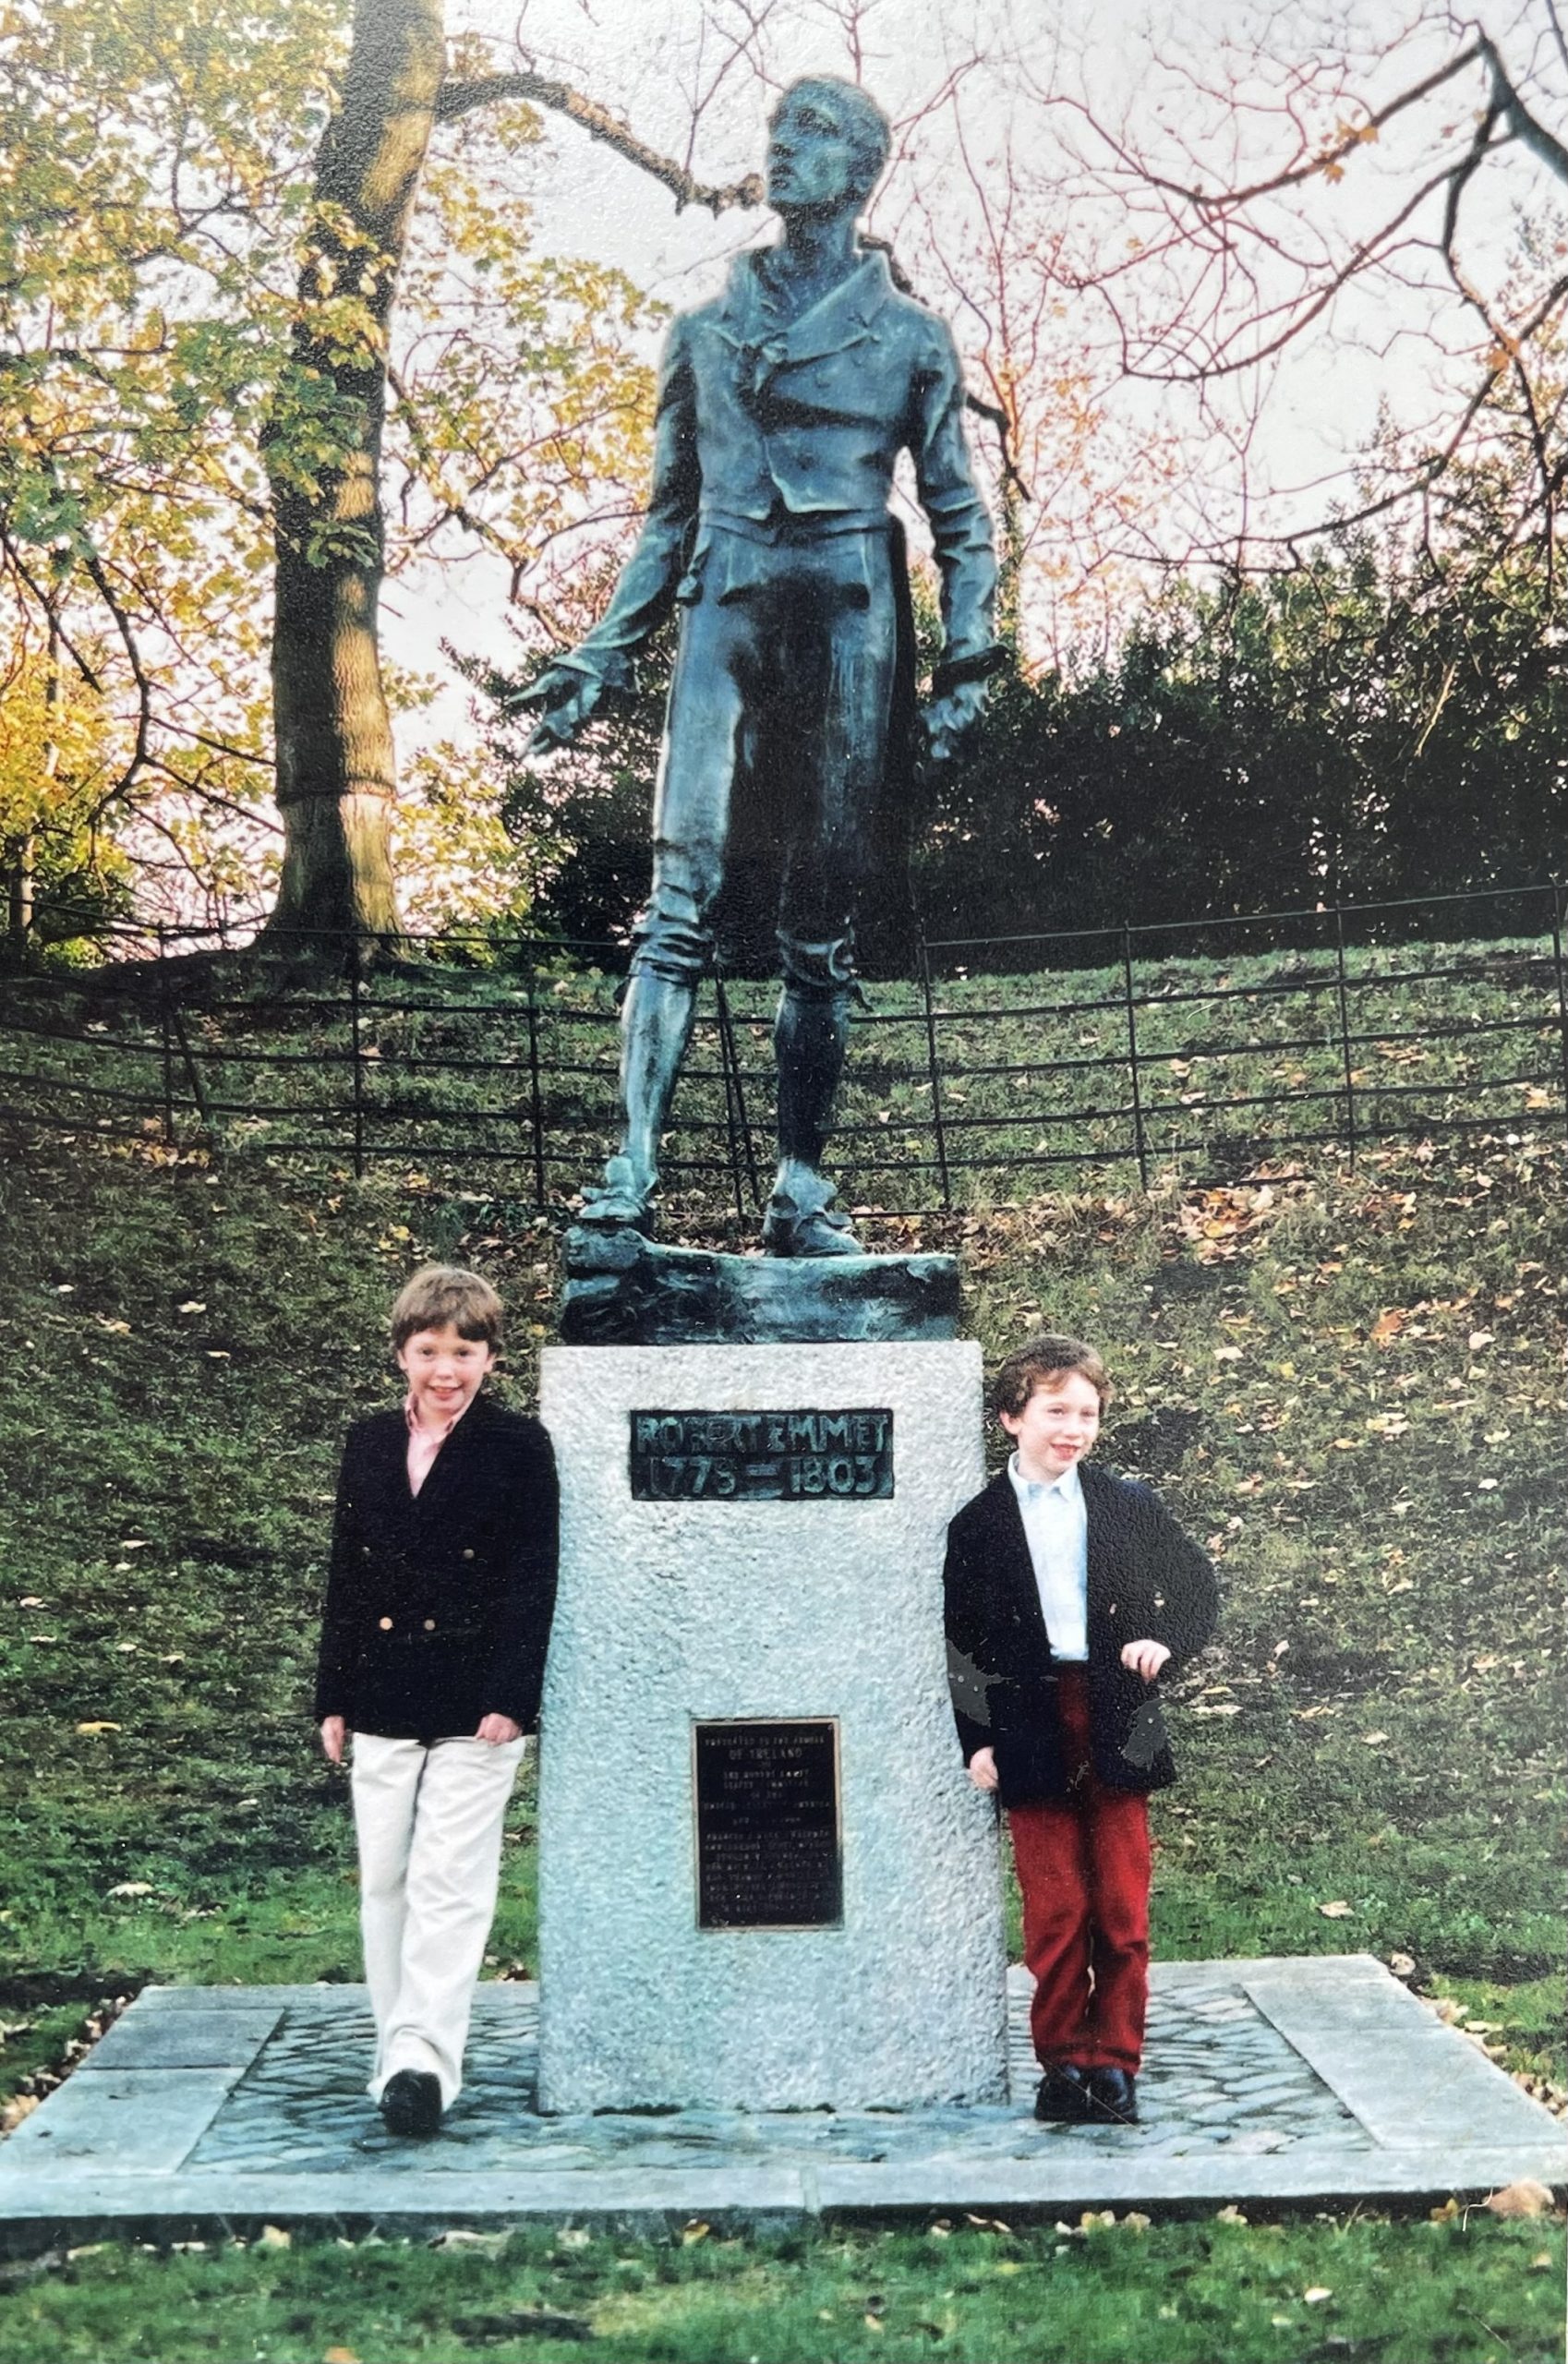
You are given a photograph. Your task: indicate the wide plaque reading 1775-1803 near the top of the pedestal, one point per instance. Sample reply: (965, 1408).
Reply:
(763, 1455)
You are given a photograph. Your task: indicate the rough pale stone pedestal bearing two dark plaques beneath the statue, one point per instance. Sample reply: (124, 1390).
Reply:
(751, 1604)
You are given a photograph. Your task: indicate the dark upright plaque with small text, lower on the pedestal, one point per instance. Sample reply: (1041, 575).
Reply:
(767, 1803)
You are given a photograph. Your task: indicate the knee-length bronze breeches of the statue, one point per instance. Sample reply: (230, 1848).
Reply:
(782, 696)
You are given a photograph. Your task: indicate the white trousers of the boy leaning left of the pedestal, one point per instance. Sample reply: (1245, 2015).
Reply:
(429, 1824)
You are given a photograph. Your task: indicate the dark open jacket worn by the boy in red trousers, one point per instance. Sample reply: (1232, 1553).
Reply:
(1146, 1583)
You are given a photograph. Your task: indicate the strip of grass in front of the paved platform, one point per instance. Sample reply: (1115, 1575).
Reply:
(1117, 2294)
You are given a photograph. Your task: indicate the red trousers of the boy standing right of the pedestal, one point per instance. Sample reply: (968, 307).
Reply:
(1084, 1869)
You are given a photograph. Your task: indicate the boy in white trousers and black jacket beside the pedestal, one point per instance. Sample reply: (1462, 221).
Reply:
(439, 1611)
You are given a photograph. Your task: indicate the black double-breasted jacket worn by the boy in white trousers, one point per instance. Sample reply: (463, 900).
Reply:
(439, 1604)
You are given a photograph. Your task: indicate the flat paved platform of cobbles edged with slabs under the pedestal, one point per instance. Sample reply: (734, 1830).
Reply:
(1271, 2082)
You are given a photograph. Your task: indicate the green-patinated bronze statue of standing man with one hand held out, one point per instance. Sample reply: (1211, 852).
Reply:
(782, 415)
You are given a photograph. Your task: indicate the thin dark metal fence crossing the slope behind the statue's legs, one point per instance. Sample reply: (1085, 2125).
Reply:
(997, 1070)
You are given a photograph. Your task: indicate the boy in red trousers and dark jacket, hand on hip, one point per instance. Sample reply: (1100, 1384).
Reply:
(1068, 1595)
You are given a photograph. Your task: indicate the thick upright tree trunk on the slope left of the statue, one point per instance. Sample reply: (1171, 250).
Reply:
(323, 448)
